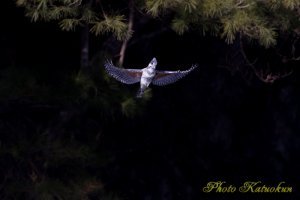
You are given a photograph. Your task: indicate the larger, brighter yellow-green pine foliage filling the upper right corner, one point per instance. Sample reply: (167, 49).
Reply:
(253, 19)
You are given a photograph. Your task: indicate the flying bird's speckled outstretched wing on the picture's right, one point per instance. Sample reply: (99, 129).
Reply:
(167, 77)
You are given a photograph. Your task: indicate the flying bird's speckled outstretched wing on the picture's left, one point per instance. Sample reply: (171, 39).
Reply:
(127, 76)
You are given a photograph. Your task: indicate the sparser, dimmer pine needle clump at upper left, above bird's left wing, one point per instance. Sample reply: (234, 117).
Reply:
(73, 13)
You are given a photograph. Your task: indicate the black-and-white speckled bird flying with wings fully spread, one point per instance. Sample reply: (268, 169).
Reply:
(146, 75)
